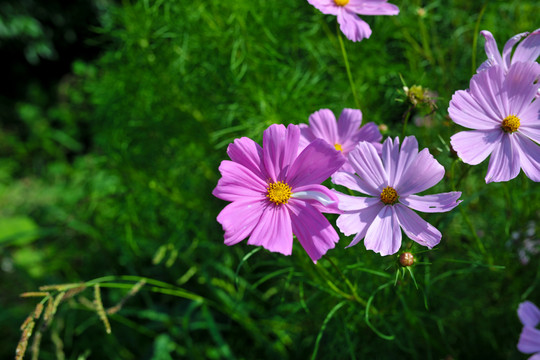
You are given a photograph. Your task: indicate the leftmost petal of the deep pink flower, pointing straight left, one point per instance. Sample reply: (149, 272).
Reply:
(238, 183)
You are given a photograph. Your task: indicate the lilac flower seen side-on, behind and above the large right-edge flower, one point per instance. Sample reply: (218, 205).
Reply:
(527, 50)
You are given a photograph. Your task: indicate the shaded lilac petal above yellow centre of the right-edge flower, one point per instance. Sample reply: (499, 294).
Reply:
(520, 86)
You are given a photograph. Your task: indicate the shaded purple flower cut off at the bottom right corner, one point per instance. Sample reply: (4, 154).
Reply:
(529, 340)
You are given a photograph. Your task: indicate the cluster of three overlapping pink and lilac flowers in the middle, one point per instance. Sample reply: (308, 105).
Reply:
(275, 190)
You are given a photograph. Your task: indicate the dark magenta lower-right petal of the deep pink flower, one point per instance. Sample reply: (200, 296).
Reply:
(312, 229)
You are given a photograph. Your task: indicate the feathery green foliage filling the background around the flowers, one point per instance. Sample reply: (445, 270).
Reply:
(112, 181)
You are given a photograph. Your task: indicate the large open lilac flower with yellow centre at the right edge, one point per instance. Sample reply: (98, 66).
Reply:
(505, 121)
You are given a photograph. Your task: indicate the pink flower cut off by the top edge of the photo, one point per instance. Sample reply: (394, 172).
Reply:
(352, 26)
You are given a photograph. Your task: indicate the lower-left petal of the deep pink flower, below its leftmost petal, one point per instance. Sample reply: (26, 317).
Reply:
(239, 218)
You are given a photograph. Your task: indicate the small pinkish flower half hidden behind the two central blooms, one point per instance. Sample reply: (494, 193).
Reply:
(344, 134)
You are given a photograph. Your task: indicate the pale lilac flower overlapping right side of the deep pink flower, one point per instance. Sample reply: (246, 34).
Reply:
(391, 181)
